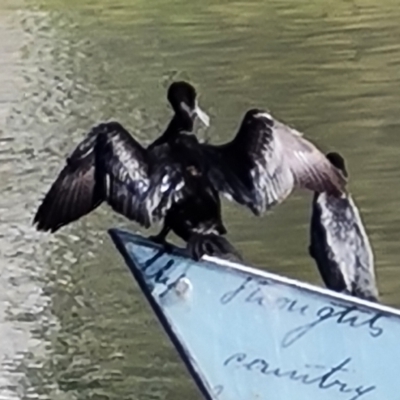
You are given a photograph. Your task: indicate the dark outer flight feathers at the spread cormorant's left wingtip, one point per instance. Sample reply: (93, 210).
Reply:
(75, 192)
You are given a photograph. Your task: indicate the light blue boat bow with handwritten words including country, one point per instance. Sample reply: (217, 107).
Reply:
(247, 334)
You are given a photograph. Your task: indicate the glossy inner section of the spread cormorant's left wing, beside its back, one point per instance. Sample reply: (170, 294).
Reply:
(141, 185)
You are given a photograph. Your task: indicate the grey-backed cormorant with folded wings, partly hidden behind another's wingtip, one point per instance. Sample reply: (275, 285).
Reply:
(340, 245)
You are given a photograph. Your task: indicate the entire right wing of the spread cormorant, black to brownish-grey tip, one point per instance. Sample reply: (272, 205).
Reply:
(266, 160)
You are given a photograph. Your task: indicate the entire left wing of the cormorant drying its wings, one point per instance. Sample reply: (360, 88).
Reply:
(109, 165)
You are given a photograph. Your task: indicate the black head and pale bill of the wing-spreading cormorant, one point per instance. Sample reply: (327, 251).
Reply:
(183, 99)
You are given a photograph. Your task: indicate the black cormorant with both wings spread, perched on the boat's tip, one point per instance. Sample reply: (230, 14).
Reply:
(177, 179)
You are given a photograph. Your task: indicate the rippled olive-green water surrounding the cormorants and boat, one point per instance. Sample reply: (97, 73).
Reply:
(72, 320)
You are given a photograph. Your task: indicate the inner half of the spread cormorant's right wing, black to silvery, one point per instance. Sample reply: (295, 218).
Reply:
(249, 169)
